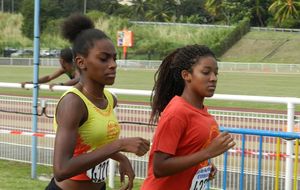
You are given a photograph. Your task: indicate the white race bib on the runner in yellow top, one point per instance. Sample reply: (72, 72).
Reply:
(98, 173)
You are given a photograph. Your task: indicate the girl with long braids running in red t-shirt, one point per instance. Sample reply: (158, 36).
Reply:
(186, 135)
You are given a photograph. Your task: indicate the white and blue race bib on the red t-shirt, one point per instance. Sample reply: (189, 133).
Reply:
(200, 179)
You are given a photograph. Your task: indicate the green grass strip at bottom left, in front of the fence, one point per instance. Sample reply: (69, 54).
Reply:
(16, 175)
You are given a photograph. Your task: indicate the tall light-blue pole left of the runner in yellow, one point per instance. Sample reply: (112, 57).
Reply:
(35, 91)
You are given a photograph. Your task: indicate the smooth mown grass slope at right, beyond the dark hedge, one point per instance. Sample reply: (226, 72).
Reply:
(267, 47)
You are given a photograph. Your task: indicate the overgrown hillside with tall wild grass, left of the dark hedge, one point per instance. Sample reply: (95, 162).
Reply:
(150, 42)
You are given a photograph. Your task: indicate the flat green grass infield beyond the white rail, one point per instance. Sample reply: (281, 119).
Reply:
(235, 83)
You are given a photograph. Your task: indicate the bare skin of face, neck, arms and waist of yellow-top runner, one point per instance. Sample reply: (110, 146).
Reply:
(98, 69)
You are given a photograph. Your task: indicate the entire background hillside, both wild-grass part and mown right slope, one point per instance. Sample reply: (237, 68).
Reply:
(256, 46)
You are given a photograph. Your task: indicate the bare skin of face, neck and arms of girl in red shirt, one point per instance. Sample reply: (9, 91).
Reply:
(199, 83)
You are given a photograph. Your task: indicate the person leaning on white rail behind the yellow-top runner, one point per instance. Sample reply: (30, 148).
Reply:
(67, 67)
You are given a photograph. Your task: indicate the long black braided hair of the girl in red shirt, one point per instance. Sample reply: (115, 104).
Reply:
(168, 80)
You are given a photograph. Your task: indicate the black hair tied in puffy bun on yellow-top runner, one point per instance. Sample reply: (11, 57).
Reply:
(81, 32)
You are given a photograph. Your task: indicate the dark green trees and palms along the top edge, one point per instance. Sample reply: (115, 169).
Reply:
(192, 11)
